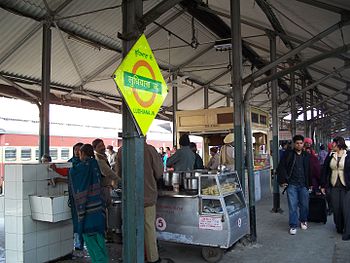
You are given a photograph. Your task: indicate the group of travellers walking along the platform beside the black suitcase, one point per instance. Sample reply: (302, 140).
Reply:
(301, 172)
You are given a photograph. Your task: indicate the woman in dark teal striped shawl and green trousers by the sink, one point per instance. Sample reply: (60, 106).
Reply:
(85, 180)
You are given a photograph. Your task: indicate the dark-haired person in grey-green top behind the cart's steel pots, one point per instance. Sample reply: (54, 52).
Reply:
(183, 159)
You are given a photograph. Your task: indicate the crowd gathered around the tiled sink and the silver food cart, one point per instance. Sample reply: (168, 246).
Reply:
(97, 169)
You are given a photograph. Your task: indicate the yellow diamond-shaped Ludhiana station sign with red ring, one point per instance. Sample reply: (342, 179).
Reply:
(141, 83)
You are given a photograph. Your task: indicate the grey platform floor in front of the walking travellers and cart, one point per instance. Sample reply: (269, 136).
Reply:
(320, 243)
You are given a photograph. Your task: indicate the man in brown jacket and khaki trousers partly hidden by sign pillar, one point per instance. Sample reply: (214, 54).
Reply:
(153, 170)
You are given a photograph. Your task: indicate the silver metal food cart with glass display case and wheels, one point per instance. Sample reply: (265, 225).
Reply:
(211, 213)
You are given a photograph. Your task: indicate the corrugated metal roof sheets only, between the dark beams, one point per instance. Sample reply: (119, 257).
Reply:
(298, 20)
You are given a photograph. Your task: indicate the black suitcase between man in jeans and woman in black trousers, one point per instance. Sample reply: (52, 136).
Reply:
(317, 208)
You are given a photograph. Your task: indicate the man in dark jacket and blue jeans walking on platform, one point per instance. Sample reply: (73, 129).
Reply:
(294, 174)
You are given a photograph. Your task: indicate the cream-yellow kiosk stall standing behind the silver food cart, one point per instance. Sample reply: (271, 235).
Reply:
(215, 123)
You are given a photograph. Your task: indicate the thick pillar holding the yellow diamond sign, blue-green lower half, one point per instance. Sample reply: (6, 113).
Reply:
(133, 155)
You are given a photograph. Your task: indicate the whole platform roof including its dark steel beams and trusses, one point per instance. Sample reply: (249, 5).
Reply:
(86, 51)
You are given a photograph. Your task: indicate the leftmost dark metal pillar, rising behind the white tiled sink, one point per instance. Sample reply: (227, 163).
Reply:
(44, 132)
